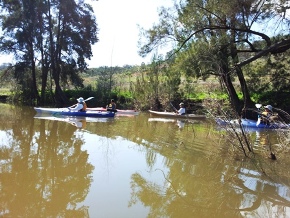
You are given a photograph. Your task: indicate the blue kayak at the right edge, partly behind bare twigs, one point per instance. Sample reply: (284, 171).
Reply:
(247, 123)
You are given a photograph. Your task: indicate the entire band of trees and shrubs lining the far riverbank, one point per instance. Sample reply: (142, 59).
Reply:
(220, 49)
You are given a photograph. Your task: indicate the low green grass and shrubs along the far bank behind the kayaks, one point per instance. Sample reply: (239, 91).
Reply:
(141, 88)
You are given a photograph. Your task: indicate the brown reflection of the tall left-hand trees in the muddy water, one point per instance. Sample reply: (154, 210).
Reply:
(44, 172)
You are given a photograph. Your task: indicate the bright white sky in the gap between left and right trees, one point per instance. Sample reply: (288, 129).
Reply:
(118, 34)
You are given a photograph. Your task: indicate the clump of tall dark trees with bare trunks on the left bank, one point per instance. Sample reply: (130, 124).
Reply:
(61, 38)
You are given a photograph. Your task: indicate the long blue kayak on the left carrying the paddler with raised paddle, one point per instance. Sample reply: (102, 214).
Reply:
(66, 112)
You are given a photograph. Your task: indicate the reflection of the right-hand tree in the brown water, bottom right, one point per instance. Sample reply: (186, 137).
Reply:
(188, 191)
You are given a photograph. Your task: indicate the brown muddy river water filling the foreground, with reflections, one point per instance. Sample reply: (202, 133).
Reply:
(135, 166)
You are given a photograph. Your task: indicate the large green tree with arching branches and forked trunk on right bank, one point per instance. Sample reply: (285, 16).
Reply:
(218, 37)
